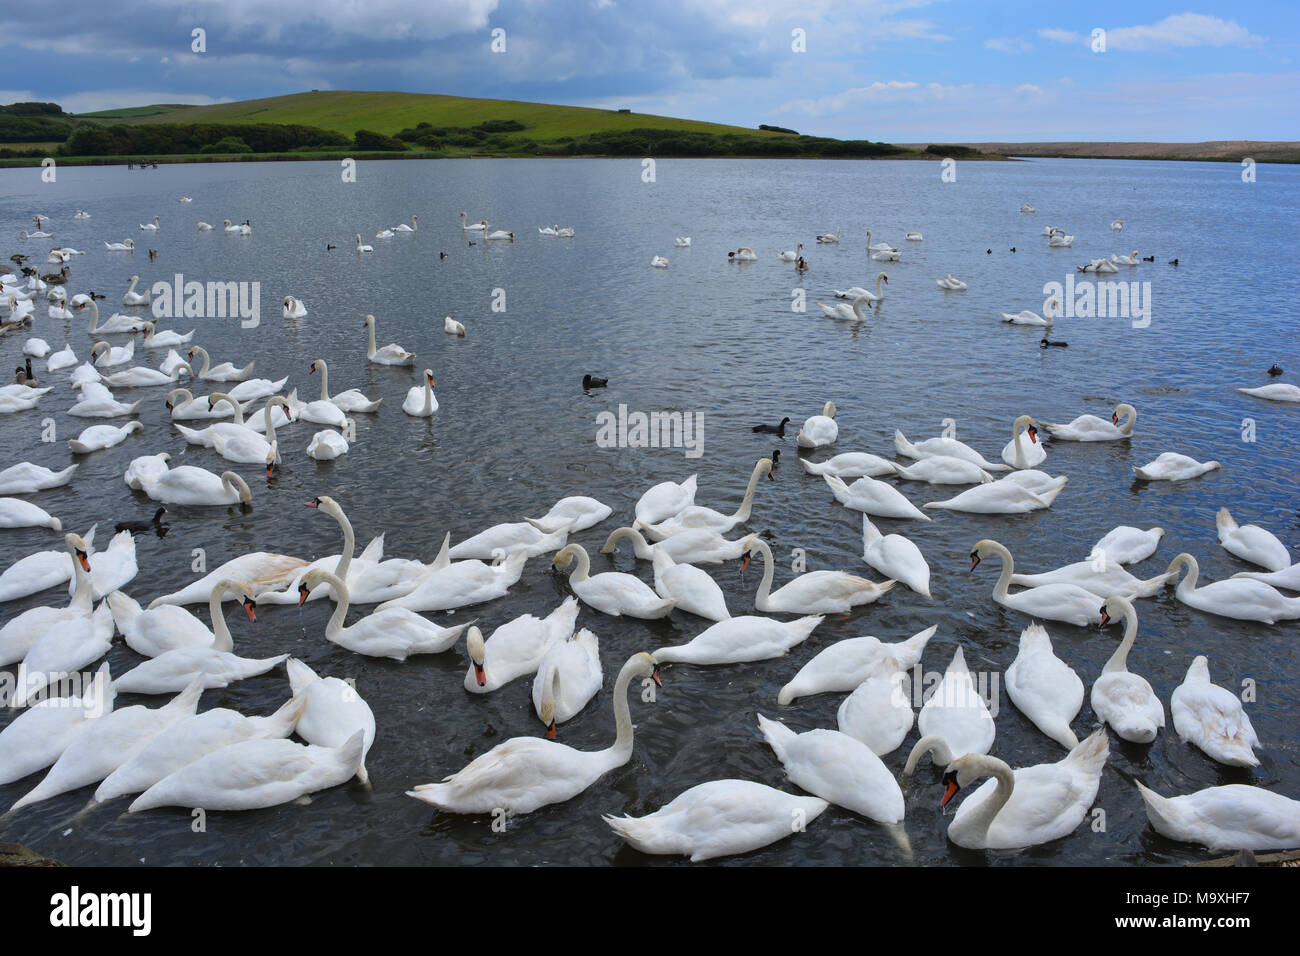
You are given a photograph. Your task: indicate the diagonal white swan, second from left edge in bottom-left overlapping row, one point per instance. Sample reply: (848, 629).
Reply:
(109, 743)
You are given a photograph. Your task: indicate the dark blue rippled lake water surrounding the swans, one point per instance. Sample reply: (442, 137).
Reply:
(515, 432)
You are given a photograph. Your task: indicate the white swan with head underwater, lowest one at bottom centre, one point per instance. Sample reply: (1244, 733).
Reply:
(717, 819)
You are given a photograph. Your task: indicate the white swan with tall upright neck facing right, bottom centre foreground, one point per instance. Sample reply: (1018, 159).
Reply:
(525, 775)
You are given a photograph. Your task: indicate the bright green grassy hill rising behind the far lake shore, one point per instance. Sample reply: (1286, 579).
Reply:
(346, 111)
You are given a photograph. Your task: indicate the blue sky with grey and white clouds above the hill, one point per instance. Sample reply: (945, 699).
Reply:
(889, 71)
